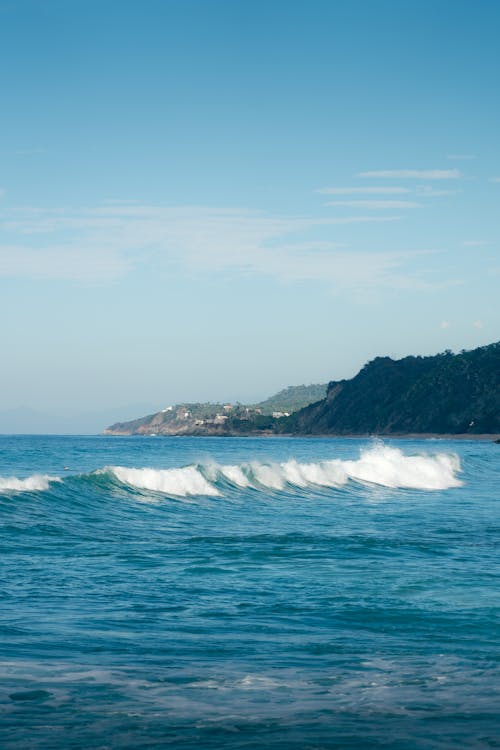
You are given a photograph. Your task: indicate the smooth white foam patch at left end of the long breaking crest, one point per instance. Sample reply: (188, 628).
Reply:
(180, 482)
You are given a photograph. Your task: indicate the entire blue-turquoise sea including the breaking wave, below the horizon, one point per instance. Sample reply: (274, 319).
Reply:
(248, 593)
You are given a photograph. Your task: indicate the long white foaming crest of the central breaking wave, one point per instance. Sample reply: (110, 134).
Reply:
(381, 465)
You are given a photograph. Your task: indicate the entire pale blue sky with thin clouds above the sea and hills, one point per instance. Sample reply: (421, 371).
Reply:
(214, 200)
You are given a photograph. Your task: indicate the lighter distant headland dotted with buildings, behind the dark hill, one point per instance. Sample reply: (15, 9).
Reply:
(220, 419)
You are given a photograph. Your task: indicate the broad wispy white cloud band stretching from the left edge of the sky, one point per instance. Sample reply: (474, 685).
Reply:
(107, 242)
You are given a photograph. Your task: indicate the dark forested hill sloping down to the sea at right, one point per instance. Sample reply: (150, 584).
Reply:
(446, 393)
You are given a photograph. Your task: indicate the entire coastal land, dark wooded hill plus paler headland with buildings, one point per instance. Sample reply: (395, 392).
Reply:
(457, 394)
